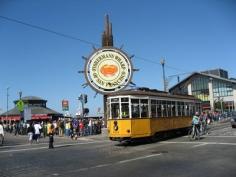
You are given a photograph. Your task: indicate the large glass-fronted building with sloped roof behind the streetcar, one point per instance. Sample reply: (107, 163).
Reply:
(213, 87)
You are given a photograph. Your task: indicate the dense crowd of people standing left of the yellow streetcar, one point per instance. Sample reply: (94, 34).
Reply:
(72, 128)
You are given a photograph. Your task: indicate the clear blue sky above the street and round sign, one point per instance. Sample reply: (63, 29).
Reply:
(191, 35)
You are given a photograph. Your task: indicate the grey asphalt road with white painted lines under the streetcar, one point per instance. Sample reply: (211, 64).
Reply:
(214, 155)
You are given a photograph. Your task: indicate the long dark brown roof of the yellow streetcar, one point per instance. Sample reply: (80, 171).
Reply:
(150, 92)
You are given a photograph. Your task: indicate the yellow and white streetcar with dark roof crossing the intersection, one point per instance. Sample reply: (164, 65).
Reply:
(142, 113)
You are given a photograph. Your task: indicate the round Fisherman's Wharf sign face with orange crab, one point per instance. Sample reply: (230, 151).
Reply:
(108, 70)
